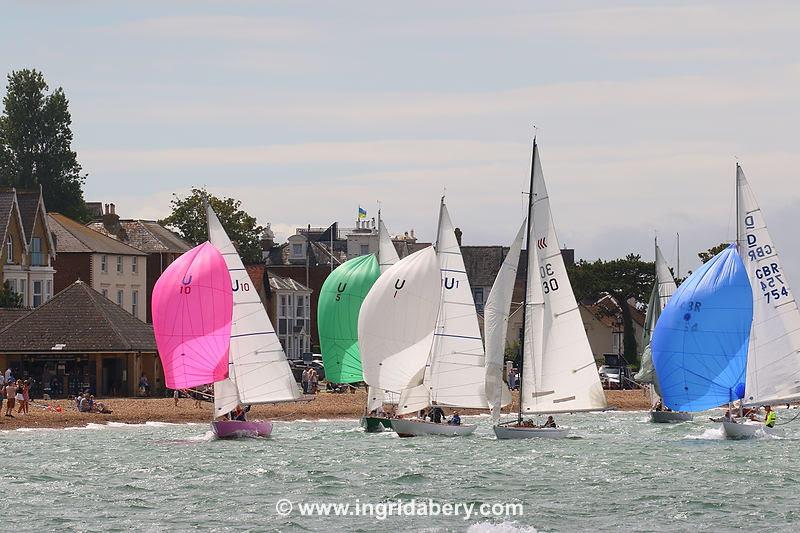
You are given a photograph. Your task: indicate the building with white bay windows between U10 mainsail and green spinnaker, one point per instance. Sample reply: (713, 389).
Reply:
(288, 305)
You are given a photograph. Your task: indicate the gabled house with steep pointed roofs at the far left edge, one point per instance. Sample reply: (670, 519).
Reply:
(28, 253)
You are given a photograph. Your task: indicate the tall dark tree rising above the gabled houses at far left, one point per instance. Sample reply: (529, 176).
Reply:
(36, 144)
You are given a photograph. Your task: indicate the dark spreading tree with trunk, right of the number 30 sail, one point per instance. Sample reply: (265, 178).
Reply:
(622, 279)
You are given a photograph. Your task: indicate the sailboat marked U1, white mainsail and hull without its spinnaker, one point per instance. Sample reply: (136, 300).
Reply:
(454, 375)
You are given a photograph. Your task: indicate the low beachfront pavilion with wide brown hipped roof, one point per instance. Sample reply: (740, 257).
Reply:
(79, 340)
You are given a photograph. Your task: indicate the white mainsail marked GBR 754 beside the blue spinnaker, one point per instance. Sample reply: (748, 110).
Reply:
(773, 356)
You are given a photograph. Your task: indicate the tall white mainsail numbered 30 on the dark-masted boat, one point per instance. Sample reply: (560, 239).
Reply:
(567, 378)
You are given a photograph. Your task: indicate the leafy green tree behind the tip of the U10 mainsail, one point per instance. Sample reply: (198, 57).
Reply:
(188, 218)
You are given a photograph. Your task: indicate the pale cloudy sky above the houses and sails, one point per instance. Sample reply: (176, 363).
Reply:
(306, 110)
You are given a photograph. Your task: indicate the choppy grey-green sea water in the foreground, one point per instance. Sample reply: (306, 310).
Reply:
(616, 472)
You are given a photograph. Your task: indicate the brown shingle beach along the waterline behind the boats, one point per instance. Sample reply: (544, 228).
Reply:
(141, 410)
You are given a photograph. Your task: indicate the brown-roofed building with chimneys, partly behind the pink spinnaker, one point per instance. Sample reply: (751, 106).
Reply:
(161, 245)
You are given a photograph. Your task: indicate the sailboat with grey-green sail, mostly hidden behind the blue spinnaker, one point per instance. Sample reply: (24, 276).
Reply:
(663, 289)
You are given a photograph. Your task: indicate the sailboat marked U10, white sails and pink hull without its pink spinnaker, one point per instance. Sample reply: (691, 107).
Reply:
(258, 371)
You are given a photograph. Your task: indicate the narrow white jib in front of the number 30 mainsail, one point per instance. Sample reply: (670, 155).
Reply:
(495, 325)
